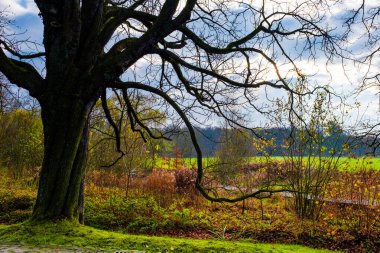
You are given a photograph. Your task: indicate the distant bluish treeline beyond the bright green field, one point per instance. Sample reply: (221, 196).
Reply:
(209, 140)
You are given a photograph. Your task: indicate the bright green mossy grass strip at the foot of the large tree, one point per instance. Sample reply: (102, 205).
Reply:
(66, 234)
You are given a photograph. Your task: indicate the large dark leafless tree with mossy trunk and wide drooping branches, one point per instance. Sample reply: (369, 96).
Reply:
(198, 57)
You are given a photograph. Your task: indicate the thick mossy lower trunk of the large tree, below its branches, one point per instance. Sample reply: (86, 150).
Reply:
(66, 139)
